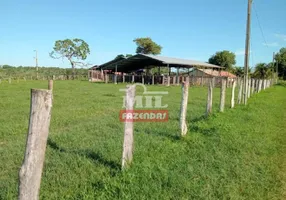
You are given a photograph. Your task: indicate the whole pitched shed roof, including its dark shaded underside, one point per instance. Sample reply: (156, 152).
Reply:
(140, 61)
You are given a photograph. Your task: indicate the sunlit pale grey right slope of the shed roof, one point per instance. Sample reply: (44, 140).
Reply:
(179, 61)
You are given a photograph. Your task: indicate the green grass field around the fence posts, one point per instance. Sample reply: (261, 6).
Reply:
(238, 154)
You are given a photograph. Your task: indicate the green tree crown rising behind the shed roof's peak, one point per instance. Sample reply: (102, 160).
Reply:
(147, 46)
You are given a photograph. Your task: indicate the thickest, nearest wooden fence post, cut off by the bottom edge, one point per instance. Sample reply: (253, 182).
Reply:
(31, 170)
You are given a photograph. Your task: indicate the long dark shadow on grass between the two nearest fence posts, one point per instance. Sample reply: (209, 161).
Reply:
(95, 157)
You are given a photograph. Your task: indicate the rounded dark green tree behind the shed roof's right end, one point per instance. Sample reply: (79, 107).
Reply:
(224, 59)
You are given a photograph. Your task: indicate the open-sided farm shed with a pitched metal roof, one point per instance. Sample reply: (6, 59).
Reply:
(137, 69)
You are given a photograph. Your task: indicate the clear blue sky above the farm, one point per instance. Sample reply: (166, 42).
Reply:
(184, 28)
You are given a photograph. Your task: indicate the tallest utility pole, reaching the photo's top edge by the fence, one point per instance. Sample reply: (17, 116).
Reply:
(246, 59)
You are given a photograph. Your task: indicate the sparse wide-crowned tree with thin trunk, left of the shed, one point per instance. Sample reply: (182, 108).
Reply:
(74, 50)
